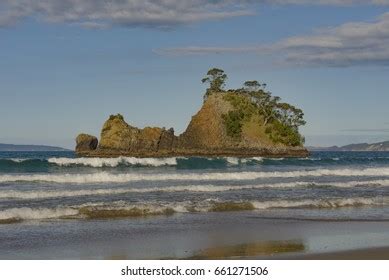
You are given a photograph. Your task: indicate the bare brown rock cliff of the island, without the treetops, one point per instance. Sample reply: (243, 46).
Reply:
(213, 131)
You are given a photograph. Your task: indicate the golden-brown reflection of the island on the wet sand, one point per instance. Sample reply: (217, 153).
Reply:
(267, 248)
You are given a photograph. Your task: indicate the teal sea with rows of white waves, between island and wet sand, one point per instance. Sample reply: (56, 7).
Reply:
(326, 185)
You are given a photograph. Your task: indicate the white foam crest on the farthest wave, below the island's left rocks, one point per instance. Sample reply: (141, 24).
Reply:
(113, 162)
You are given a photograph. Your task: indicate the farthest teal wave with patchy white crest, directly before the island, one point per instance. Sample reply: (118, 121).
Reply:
(43, 164)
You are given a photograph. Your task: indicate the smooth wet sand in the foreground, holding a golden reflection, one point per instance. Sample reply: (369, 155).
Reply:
(223, 235)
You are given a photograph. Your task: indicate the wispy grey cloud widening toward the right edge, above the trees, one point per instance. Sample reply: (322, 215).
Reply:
(350, 44)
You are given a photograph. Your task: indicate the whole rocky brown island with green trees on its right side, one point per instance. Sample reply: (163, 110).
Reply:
(241, 122)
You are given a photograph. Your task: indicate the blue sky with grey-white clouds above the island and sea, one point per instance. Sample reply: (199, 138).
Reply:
(66, 65)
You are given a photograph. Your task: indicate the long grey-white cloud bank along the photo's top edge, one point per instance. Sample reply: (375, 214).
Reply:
(150, 13)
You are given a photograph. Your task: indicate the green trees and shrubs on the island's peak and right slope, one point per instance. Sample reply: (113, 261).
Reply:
(282, 120)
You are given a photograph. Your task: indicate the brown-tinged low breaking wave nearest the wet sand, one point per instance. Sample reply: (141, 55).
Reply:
(121, 209)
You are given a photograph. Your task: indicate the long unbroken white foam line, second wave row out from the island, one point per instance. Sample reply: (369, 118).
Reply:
(106, 177)
